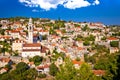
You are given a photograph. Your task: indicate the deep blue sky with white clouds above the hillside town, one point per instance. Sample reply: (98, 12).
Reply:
(105, 11)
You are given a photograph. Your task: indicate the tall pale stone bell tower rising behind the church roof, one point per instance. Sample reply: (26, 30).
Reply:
(30, 31)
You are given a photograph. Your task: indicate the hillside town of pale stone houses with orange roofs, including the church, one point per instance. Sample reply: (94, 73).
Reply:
(24, 39)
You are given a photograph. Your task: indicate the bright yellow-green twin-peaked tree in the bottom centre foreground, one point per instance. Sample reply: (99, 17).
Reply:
(69, 72)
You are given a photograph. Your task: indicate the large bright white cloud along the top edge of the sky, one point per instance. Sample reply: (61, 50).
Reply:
(48, 4)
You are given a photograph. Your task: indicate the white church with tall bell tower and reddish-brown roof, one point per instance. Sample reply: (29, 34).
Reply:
(31, 49)
